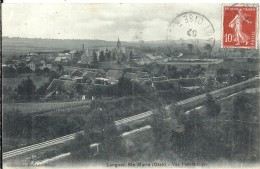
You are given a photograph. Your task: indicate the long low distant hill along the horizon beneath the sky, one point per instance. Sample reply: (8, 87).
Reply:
(18, 46)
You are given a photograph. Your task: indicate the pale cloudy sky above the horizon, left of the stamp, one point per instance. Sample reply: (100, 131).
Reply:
(129, 22)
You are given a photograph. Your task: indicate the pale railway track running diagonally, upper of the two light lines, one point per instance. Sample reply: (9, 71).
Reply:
(140, 116)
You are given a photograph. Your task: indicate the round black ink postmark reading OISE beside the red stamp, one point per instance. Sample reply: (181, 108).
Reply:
(192, 32)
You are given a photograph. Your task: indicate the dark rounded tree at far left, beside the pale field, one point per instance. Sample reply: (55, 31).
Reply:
(26, 89)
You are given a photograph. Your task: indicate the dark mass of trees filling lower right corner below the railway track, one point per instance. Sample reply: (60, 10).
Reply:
(209, 136)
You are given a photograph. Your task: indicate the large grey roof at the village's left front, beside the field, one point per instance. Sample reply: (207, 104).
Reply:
(66, 85)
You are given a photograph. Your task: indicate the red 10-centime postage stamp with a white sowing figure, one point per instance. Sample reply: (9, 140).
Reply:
(239, 29)
